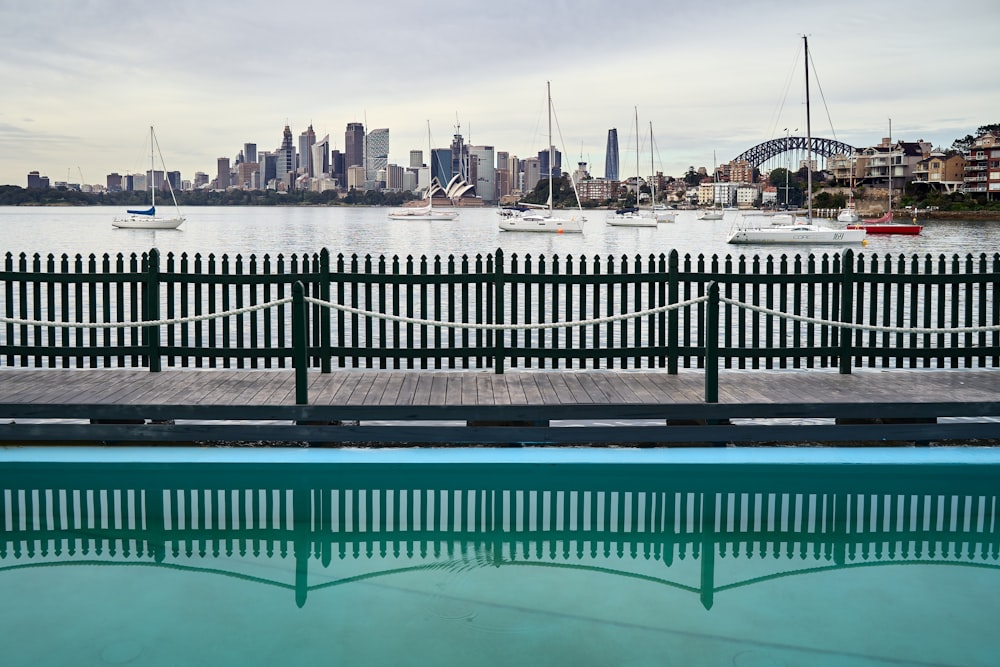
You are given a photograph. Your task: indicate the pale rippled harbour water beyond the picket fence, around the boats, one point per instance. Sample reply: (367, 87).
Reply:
(364, 231)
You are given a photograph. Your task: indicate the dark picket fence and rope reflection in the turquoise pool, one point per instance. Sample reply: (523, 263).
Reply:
(627, 520)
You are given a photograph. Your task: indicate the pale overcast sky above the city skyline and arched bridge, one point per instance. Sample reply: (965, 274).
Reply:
(82, 81)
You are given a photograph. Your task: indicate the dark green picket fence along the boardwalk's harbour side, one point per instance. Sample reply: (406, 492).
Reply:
(840, 311)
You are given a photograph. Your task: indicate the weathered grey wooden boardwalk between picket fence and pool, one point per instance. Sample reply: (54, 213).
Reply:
(480, 407)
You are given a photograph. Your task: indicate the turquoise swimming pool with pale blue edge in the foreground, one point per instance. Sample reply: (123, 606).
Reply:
(748, 558)
